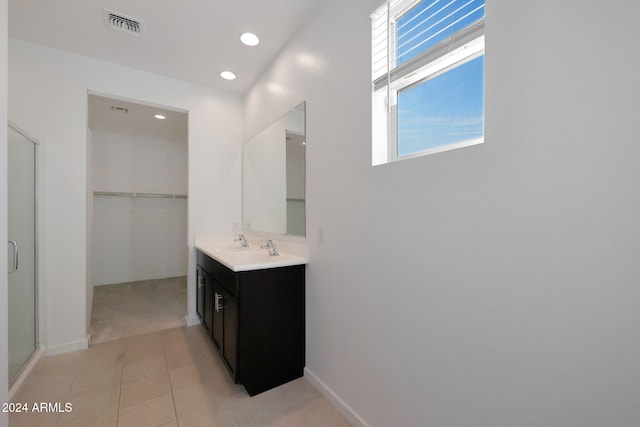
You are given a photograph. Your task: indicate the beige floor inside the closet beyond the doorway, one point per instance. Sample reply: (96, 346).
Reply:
(134, 308)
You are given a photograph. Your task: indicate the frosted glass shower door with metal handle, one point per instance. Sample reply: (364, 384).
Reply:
(22, 250)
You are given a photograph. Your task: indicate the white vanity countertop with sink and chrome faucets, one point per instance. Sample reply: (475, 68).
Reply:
(237, 258)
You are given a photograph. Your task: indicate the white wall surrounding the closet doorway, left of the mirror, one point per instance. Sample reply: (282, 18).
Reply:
(48, 98)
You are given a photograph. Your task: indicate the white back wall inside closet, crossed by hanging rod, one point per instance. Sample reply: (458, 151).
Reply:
(139, 238)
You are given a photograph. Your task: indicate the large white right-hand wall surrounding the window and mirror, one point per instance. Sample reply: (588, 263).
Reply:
(495, 285)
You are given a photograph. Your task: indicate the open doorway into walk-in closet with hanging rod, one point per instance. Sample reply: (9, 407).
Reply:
(137, 210)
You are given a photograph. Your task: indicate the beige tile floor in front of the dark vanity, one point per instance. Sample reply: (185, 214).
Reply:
(166, 378)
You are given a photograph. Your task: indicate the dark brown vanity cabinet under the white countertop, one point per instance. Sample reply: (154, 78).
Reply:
(255, 319)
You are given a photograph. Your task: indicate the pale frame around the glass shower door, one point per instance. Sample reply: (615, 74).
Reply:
(16, 380)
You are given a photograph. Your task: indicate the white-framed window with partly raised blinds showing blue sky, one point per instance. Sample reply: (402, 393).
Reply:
(427, 77)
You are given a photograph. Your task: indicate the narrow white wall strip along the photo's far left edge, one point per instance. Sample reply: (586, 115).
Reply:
(4, 353)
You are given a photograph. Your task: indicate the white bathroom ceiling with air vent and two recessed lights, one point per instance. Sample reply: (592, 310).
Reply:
(190, 40)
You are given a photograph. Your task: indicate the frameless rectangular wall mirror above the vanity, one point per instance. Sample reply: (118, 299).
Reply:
(274, 177)
